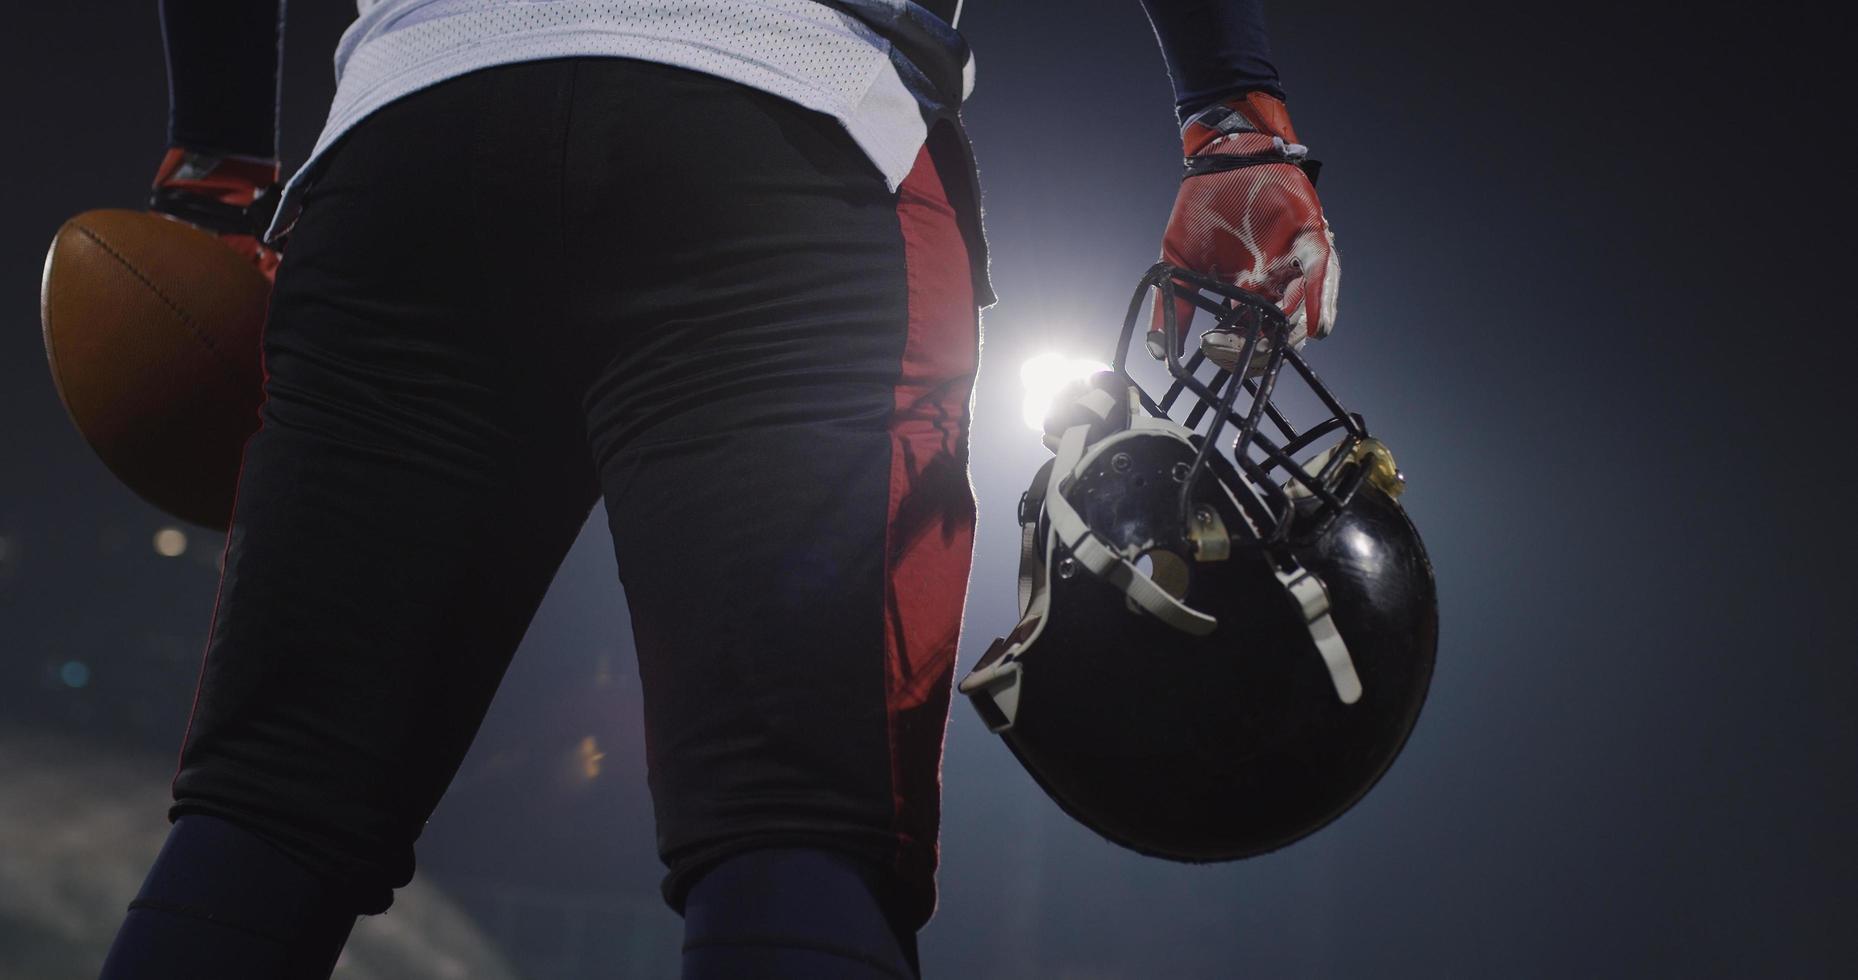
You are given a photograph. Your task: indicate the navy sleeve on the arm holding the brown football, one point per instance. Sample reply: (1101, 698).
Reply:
(222, 75)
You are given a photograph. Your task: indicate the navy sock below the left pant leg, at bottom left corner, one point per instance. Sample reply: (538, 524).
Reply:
(222, 905)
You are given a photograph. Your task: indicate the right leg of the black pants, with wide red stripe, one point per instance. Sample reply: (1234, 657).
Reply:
(781, 423)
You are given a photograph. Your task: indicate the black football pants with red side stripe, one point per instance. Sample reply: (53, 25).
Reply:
(551, 284)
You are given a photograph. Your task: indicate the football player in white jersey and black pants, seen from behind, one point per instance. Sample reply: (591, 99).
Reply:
(716, 265)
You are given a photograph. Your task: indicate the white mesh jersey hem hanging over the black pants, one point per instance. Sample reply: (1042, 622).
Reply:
(809, 53)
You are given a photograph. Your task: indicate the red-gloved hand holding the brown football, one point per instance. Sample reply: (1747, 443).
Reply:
(229, 196)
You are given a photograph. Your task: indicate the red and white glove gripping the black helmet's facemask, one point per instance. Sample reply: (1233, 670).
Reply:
(1257, 226)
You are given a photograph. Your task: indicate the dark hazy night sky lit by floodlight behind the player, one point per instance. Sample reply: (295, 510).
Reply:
(1593, 298)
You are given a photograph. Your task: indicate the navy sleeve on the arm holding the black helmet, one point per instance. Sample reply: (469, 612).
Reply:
(1214, 49)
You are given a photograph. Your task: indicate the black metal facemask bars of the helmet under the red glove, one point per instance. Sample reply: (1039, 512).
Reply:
(1257, 455)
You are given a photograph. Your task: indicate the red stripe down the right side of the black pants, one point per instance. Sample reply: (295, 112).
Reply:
(930, 538)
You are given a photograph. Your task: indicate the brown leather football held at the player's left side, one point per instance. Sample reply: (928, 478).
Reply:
(151, 330)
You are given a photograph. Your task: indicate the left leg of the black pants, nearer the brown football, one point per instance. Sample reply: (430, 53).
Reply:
(419, 473)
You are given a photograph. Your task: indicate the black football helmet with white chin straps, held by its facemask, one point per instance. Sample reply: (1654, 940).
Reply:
(1227, 622)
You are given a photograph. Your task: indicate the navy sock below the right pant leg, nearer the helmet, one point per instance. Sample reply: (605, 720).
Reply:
(792, 914)
